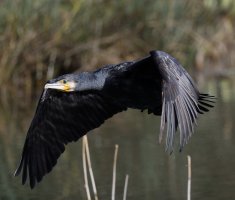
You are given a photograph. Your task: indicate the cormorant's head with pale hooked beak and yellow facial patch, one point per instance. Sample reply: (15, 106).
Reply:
(65, 83)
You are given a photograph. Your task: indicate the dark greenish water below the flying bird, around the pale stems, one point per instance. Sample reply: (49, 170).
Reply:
(153, 173)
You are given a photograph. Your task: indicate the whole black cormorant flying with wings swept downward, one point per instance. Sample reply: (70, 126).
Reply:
(73, 104)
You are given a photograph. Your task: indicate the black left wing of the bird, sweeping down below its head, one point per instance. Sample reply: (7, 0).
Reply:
(60, 118)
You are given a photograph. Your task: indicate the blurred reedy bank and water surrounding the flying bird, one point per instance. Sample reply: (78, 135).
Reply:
(42, 39)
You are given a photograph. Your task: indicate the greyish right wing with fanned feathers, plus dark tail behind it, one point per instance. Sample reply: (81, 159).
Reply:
(181, 100)
